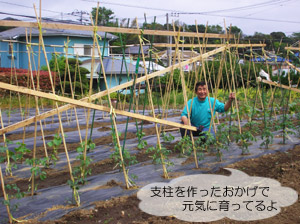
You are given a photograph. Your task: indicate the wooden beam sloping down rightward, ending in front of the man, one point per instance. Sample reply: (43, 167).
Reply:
(79, 103)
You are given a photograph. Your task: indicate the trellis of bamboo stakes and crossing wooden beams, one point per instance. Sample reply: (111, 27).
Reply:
(226, 52)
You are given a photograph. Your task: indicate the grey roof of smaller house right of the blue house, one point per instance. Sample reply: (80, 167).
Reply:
(114, 66)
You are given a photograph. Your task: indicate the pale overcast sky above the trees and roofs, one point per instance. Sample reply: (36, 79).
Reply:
(250, 16)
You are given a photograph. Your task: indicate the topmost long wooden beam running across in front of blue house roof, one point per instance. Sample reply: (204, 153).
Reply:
(111, 29)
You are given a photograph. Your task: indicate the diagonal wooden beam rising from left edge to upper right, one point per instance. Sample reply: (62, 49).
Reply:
(42, 116)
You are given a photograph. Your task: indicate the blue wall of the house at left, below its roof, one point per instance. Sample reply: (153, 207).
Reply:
(20, 55)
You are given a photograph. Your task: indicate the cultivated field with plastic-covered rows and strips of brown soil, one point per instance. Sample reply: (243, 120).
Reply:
(104, 183)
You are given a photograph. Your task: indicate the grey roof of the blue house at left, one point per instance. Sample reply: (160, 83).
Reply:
(20, 32)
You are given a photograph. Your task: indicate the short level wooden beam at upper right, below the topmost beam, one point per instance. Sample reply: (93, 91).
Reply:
(207, 45)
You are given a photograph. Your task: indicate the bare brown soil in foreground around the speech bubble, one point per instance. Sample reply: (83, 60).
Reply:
(282, 166)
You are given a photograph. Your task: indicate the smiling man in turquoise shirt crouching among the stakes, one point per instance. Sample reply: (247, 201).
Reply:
(200, 115)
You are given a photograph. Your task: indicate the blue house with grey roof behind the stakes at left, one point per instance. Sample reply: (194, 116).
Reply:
(79, 42)
